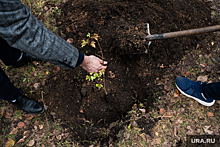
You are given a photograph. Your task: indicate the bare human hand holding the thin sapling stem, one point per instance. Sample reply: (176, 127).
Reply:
(93, 64)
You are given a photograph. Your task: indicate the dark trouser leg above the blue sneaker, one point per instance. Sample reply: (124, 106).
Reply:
(212, 90)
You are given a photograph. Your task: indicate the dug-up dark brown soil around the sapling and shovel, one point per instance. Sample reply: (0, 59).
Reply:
(121, 25)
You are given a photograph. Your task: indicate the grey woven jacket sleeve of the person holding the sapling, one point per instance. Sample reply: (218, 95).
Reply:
(23, 31)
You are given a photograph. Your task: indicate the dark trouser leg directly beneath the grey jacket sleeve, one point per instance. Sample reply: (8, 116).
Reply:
(8, 54)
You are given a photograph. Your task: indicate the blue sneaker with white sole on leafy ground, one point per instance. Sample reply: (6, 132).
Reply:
(193, 90)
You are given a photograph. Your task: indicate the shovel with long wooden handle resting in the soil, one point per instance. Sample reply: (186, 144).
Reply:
(150, 37)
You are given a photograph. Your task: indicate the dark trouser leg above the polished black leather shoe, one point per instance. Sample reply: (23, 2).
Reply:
(7, 90)
